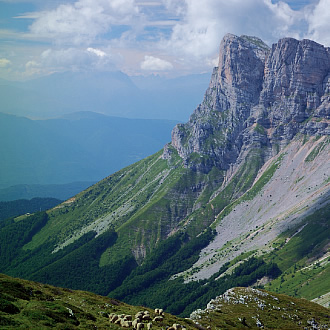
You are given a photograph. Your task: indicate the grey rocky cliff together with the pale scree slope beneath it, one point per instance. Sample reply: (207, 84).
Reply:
(266, 109)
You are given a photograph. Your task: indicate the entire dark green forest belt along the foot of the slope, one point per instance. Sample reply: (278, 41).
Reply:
(77, 266)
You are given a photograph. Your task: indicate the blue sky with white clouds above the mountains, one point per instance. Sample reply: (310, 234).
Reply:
(170, 37)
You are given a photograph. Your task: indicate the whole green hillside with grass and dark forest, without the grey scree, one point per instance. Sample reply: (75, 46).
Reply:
(131, 236)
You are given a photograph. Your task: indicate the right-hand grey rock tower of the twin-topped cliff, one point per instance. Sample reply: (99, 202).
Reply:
(295, 88)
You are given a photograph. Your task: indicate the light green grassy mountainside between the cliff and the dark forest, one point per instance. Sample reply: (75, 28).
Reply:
(144, 203)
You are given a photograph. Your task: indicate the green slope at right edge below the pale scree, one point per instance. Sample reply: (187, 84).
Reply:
(302, 254)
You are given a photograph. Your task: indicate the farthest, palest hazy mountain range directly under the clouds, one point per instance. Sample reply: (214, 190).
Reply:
(111, 93)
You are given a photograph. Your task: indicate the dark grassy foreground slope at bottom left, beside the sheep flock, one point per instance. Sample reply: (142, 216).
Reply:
(25, 304)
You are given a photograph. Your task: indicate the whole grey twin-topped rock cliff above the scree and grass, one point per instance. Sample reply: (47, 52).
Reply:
(258, 97)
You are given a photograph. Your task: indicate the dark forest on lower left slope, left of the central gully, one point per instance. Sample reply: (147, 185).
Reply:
(75, 266)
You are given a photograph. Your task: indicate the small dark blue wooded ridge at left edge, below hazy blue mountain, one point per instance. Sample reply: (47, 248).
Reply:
(23, 206)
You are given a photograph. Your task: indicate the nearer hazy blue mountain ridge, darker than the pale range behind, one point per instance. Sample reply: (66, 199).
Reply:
(78, 147)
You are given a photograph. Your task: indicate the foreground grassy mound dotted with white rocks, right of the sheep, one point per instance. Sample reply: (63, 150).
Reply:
(253, 308)
